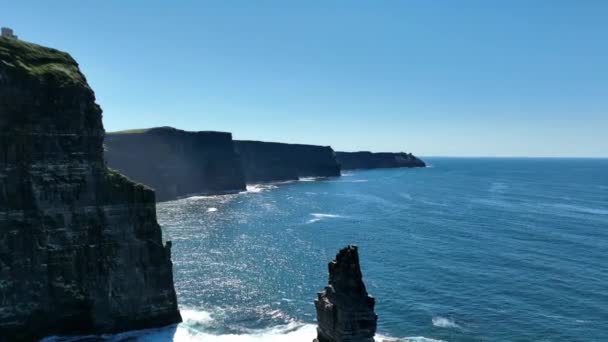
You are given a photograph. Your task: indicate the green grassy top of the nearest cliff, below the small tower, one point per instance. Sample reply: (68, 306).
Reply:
(40, 62)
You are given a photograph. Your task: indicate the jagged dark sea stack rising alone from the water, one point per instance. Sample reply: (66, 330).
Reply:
(345, 312)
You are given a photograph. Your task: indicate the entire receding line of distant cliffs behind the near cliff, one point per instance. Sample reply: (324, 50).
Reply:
(177, 163)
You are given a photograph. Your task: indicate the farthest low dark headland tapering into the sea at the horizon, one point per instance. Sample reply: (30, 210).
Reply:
(370, 160)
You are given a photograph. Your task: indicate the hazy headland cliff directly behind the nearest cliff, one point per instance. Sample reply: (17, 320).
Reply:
(177, 163)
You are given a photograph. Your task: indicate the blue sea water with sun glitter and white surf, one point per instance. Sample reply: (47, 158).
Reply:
(465, 250)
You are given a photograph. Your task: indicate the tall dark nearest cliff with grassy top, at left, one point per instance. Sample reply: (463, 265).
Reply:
(80, 248)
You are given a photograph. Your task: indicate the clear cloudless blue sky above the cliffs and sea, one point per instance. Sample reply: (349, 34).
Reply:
(462, 78)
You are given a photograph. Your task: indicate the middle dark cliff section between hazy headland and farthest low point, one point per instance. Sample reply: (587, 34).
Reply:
(266, 161)
